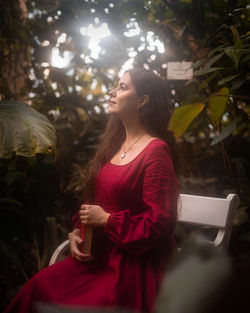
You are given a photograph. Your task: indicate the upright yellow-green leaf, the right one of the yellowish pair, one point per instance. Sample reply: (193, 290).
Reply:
(217, 104)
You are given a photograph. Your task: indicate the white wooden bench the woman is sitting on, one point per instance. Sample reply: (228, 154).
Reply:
(194, 210)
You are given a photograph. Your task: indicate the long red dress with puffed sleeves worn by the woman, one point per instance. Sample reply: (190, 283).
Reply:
(130, 253)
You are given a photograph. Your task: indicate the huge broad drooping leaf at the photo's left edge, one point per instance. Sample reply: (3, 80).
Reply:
(24, 131)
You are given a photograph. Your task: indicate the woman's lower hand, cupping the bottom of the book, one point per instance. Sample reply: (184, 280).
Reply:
(75, 242)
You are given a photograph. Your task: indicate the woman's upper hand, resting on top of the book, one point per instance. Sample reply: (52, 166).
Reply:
(93, 215)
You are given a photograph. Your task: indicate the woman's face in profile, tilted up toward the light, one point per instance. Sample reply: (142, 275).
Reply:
(123, 99)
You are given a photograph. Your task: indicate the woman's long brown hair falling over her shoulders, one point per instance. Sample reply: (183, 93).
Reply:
(154, 116)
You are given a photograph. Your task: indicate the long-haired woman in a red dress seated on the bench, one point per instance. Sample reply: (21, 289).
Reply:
(132, 192)
